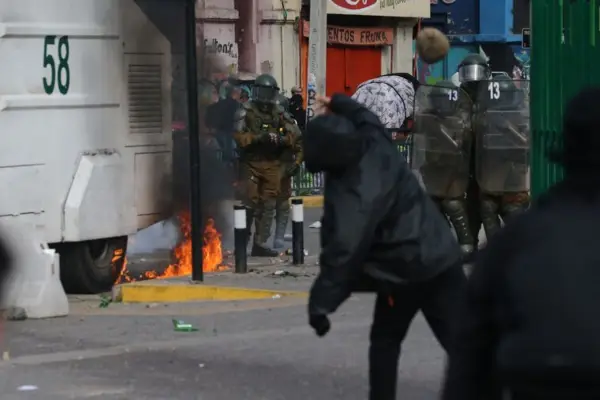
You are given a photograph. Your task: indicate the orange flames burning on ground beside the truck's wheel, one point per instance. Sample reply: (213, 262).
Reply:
(212, 255)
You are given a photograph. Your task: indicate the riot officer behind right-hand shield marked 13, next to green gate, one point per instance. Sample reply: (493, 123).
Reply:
(502, 170)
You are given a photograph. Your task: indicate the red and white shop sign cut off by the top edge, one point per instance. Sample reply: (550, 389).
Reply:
(383, 8)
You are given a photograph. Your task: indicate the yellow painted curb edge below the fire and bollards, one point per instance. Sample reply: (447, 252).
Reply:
(178, 293)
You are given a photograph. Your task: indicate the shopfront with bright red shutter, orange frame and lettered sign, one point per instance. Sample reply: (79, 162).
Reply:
(366, 39)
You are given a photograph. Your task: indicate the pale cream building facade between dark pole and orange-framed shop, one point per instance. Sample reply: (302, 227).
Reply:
(249, 37)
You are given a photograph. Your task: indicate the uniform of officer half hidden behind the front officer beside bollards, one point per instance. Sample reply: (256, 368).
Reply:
(291, 159)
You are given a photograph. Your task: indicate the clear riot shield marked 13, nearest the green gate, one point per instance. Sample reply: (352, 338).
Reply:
(502, 135)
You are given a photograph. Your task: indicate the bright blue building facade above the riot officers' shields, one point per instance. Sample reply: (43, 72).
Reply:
(490, 27)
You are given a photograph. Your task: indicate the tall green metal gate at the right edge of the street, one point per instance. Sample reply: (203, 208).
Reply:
(564, 58)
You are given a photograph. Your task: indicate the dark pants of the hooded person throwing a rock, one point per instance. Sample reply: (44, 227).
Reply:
(436, 298)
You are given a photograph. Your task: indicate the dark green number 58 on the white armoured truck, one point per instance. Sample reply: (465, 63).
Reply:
(56, 65)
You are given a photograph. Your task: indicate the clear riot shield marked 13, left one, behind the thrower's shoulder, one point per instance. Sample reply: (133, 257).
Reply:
(442, 140)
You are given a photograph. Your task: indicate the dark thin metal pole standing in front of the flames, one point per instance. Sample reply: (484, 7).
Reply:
(193, 128)
